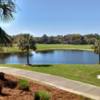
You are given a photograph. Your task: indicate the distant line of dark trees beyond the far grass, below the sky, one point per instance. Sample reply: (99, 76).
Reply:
(62, 39)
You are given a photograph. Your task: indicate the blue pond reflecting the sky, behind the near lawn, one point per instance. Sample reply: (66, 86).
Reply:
(52, 57)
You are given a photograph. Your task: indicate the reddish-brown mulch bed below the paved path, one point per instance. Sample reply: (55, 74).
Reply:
(13, 93)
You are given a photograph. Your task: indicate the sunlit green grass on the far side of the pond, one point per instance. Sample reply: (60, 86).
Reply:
(41, 47)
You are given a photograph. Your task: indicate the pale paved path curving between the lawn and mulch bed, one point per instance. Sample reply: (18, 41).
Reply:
(59, 82)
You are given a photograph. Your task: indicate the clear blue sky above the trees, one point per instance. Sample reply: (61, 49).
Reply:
(55, 17)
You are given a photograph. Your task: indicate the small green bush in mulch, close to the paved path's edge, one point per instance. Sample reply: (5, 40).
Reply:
(23, 85)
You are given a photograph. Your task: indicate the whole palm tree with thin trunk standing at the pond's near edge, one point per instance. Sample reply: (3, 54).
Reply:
(26, 44)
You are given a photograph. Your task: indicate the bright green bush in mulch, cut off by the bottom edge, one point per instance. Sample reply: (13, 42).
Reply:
(42, 95)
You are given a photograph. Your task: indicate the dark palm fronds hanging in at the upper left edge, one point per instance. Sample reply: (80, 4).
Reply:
(7, 8)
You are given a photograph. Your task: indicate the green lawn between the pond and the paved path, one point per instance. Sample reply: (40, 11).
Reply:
(83, 73)
